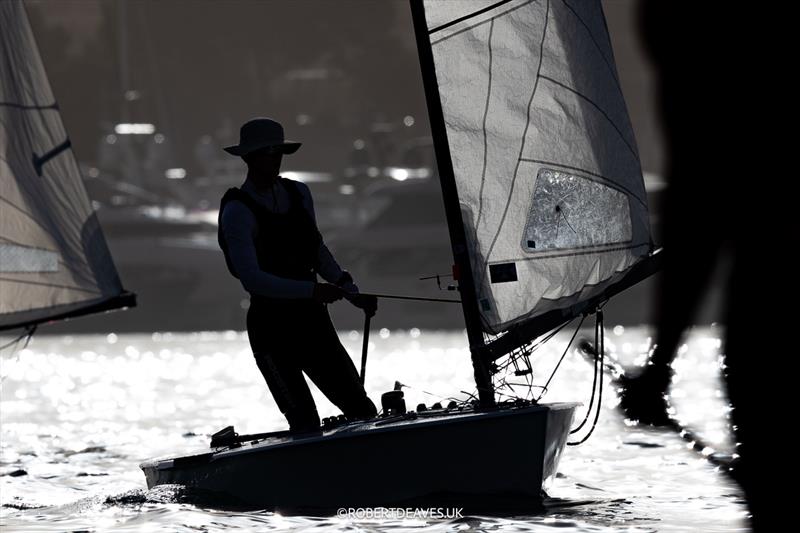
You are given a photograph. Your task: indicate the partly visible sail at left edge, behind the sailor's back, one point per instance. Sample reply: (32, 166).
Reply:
(54, 261)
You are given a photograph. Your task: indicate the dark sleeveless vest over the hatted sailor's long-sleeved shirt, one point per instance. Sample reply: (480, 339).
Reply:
(287, 244)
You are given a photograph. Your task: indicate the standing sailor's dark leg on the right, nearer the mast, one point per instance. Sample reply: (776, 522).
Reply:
(330, 368)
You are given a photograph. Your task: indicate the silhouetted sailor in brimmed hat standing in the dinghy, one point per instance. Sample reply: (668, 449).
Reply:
(269, 235)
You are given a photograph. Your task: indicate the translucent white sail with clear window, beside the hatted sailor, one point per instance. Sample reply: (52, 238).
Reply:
(543, 153)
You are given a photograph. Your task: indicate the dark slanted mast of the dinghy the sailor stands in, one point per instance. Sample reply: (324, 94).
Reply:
(452, 207)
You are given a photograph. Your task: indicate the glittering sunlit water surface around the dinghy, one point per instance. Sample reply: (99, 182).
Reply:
(79, 413)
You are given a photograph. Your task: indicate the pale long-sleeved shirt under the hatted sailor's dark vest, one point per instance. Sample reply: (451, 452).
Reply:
(239, 227)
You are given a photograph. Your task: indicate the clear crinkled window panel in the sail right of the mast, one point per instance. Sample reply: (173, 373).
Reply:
(570, 211)
